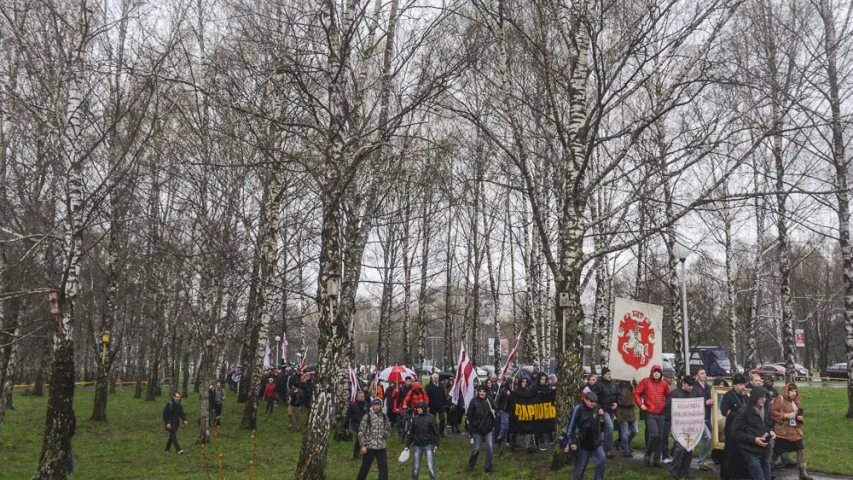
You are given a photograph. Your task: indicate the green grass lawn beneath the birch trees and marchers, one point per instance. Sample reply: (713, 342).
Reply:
(131, 445)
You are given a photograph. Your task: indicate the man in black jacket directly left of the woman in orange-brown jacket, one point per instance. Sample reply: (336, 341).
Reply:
(752, 434)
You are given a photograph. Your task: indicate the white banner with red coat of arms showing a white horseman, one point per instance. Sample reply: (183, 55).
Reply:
(637, 339)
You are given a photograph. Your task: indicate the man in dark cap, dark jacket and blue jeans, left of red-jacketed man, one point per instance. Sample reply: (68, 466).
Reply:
(585, 437)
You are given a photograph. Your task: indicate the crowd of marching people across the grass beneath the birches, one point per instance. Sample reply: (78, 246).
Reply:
(761, 425)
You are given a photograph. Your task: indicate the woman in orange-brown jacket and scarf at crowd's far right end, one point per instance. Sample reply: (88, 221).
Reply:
(788, 419)
